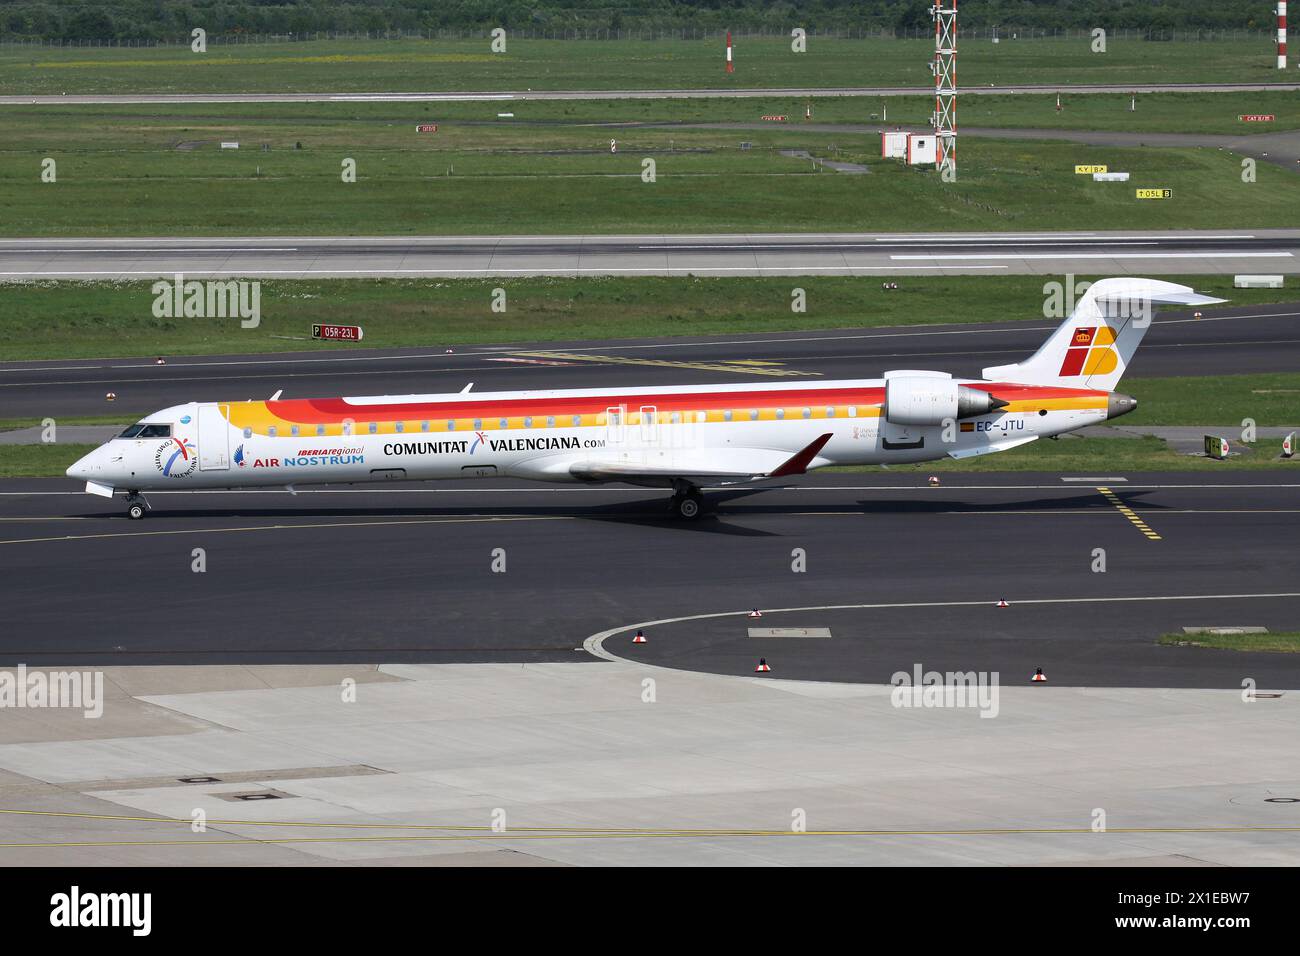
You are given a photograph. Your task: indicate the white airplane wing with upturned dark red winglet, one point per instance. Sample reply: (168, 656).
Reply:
(700, 466)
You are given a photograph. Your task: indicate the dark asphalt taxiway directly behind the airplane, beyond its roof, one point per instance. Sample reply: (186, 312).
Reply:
(1232, 341)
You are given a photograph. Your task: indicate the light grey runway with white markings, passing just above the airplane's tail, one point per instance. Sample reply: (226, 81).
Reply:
(796, 254)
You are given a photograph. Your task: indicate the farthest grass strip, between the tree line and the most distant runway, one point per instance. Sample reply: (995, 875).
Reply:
(469, 66)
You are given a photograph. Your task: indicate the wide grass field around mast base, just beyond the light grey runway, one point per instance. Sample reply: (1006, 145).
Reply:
(487, 180)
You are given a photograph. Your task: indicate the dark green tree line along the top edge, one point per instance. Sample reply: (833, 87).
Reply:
(155, 20)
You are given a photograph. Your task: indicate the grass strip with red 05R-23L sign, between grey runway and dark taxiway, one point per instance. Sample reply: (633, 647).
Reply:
(71, 321)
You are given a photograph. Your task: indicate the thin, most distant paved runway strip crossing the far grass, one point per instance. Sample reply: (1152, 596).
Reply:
(488, 96)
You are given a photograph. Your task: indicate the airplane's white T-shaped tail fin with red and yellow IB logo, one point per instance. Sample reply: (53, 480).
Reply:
(1095, 345)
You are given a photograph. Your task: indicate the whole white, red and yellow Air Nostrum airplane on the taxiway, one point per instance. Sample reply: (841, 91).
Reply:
(682, 438)
